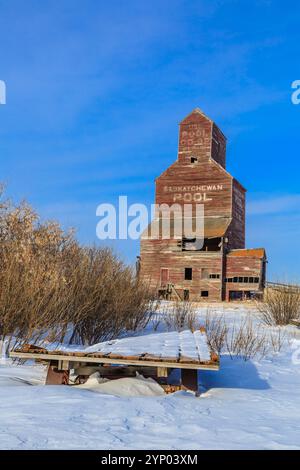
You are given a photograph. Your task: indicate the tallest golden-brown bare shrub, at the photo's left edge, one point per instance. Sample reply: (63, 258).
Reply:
(31, 272)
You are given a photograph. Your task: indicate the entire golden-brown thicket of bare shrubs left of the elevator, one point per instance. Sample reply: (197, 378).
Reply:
(49, 284)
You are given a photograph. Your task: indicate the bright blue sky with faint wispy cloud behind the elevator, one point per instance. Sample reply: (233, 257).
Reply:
(96, 89)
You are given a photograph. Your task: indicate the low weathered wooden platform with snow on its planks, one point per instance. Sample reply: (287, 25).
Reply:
(186, 351)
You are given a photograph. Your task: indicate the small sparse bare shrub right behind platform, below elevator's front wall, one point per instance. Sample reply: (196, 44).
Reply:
(181, 316)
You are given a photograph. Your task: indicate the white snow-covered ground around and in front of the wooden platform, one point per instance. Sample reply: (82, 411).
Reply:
(247, 405)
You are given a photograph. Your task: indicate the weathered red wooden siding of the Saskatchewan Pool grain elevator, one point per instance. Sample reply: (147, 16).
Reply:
(203, 181)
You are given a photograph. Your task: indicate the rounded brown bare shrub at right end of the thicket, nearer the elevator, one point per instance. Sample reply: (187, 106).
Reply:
(107, 298)
